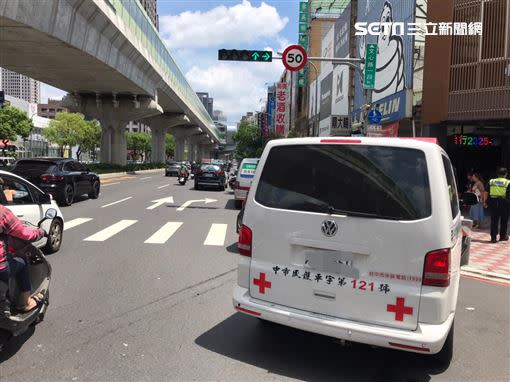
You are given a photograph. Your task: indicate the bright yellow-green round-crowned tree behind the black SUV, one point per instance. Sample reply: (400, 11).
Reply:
(66, 130)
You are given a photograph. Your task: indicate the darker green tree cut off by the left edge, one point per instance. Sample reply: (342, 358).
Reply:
(13, 122)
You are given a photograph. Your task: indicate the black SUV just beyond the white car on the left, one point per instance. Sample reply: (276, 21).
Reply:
(63, 178)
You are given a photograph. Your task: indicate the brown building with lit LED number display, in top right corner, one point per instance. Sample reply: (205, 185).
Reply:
(466, 93)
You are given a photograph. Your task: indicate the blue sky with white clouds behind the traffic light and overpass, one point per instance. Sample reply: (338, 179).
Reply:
(194, 30)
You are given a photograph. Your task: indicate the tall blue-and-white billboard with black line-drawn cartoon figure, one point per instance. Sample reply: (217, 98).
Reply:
(394, 71)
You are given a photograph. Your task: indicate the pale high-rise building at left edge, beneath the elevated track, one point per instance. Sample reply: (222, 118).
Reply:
(19, 86)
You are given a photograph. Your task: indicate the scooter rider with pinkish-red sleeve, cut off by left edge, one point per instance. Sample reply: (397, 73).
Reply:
(11, 226)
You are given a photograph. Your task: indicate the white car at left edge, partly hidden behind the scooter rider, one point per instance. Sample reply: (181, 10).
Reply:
(30, 204)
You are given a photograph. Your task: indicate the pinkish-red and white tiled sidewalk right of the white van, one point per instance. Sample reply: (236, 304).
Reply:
(486, 257)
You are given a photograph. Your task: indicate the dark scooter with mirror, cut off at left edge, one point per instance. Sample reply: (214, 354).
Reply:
(12, 324)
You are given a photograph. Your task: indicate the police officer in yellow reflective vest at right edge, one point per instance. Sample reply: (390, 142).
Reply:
(499, 202)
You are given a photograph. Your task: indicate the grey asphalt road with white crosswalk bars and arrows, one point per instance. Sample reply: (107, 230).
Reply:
(125, 310)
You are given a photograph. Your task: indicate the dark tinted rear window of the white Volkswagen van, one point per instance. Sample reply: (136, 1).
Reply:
(365, 181)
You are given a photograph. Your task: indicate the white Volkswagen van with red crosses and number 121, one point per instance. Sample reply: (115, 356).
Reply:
(358, 239)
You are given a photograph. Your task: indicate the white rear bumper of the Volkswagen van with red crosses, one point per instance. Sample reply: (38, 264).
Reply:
(426, 339)
